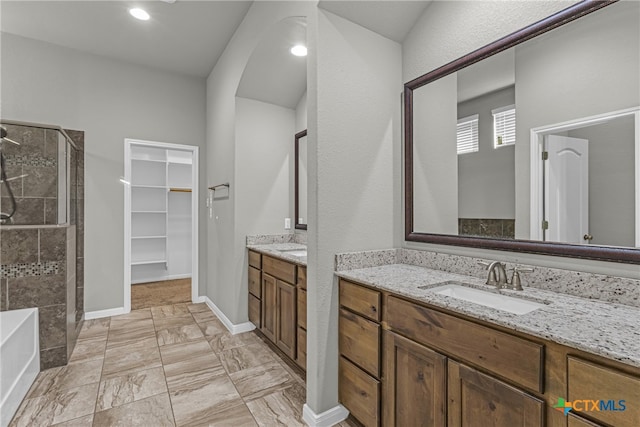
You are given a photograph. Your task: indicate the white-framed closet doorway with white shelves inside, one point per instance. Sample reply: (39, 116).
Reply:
(161, 220)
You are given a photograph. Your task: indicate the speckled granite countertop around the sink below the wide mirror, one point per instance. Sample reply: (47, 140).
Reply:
(603, 328)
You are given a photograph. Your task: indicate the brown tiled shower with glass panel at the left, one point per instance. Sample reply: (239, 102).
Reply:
(41, 245)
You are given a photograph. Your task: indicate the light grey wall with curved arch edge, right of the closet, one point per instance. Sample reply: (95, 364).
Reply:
(226, 237)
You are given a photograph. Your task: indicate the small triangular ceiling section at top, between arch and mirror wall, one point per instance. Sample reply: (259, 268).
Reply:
(392, 19)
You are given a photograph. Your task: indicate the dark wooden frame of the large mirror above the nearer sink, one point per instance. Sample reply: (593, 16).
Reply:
(602, 253)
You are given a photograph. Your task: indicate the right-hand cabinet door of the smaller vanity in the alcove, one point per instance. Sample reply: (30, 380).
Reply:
(286, 327)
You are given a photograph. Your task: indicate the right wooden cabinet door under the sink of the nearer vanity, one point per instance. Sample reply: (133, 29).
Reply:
(476, 399)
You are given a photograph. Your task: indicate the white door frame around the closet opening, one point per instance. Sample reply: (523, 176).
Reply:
(126, 180)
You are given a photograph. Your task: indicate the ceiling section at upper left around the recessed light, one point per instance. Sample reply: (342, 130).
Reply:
(185, 37)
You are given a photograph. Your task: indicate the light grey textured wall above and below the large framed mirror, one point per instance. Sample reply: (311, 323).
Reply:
(434, 41)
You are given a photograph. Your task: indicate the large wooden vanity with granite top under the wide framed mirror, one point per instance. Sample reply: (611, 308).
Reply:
(411, 355)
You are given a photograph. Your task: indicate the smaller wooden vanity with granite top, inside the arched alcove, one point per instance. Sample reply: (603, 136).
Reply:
(278, 296)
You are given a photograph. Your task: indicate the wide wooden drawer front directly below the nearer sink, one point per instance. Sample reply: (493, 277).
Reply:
(511, 357)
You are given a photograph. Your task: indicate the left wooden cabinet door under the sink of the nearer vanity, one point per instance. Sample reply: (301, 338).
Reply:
(414, 384)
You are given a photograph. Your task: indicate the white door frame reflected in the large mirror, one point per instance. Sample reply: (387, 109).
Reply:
(536, 148)
